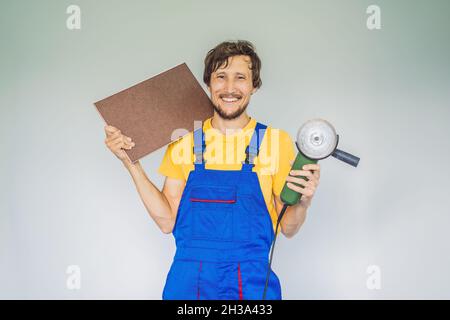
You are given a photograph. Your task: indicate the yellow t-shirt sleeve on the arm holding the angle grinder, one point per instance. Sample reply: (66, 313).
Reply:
(286, 154)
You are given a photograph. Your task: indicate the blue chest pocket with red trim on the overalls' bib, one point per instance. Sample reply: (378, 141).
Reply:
(212, 212)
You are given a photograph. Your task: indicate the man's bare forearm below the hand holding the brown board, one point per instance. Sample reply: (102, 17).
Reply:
(154, 200)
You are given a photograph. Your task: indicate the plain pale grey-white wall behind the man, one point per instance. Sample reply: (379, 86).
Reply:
(66, 200)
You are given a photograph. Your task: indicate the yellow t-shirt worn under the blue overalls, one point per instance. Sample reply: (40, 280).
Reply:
(227, 152)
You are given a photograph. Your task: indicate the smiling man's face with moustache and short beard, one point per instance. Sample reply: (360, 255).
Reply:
(232, 87)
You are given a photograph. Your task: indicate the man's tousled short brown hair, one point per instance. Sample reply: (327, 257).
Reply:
(218, 56)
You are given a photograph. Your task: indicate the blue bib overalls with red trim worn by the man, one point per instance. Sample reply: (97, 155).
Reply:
(223, 233)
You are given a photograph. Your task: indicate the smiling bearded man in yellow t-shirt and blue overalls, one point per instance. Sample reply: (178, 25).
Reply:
(221, 196)
